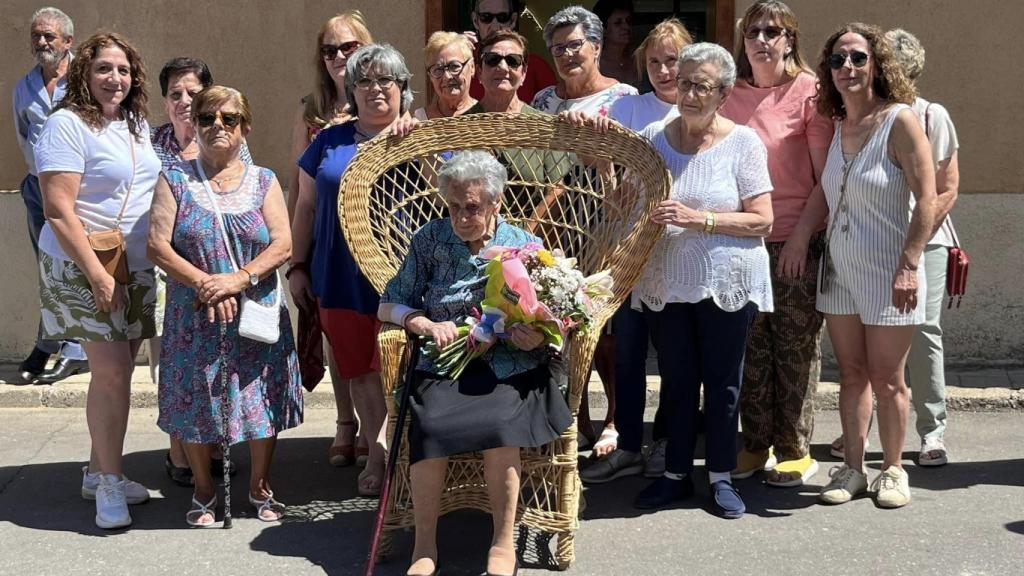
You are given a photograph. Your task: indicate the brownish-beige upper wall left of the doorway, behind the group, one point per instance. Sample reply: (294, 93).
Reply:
(262, 48)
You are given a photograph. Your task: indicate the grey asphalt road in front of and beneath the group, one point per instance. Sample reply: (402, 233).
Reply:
(967, 518)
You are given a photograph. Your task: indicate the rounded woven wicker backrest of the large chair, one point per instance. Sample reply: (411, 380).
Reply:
(587, 193)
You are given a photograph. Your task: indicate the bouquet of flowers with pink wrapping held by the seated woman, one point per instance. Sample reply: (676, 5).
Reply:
(529, 285)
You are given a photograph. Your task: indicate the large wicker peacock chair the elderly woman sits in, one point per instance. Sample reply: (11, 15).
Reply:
(595, 210)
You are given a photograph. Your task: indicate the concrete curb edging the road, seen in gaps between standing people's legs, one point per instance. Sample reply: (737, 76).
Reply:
(72, 394)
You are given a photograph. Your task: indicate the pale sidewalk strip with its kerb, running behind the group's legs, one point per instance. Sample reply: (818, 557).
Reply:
(992, 390)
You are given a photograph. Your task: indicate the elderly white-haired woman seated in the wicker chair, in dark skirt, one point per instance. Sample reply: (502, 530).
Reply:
(504, 401)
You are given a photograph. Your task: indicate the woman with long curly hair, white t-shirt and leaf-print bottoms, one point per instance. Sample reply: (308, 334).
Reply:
(98, 172)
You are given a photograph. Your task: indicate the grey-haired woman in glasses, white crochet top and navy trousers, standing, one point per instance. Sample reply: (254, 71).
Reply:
(709, 274)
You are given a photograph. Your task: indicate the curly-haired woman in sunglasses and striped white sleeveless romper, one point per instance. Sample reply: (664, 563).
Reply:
(872, 286)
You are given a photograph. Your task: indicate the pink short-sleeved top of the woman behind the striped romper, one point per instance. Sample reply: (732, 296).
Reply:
(790, 126)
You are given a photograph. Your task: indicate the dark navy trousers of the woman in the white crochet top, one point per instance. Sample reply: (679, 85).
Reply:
(701, 344)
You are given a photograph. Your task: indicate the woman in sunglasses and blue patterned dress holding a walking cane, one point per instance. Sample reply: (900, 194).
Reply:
(201, 330)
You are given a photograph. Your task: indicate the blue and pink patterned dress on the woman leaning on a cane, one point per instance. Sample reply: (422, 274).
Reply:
(265, 387)
